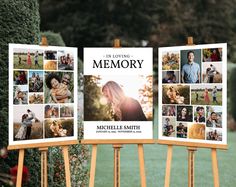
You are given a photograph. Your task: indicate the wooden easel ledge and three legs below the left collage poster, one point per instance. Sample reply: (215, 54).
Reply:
(43, 147)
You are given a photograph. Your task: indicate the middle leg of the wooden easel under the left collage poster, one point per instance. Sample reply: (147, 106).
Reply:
(44, 167)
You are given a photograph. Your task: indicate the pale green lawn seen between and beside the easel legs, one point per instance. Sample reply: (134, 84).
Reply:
(155, 162)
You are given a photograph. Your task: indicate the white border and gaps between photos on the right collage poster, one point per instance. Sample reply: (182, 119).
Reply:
(224, 92)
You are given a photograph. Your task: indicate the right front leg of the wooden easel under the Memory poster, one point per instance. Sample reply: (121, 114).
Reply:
(141, 165)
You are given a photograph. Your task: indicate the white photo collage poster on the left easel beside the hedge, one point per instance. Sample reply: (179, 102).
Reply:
(42, 94)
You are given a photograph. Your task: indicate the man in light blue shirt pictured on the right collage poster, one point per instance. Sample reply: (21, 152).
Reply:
(191, 70)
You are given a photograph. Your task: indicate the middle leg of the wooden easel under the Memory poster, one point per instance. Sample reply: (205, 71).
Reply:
(117, 165)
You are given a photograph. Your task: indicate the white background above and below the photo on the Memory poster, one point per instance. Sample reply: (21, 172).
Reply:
(146, 54)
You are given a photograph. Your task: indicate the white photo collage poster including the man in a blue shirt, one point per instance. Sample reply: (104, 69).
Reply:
(193, 93)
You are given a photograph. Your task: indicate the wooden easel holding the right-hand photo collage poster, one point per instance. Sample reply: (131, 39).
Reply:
(192, 148)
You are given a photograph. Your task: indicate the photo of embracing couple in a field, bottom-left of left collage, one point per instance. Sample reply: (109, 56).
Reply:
(29, 126)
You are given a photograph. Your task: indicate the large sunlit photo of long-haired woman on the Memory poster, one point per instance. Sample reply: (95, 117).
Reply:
(126, 98)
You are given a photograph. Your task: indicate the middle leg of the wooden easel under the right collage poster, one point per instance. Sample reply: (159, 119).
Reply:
(191, 152)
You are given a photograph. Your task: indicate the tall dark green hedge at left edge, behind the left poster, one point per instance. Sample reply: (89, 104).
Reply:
(19, 22)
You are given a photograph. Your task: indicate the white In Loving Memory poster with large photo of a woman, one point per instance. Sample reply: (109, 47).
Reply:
(118, 100)
